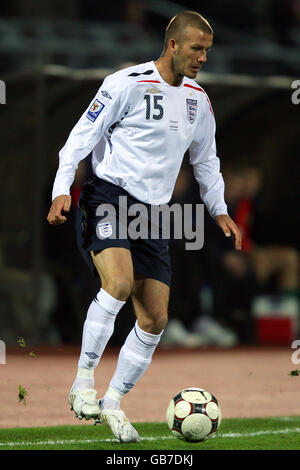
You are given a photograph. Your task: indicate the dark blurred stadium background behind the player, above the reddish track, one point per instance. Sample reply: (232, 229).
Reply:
(53, 58)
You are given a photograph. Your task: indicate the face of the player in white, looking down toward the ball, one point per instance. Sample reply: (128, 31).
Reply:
(191, 52)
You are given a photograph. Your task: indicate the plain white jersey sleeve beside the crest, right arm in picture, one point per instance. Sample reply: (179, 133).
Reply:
(206, 164)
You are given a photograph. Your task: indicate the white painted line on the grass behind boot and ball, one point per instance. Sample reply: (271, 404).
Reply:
(148, 438)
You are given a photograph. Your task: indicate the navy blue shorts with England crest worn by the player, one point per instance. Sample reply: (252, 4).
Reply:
(150, 257)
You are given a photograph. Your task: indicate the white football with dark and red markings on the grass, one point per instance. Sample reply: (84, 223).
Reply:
(194, 415)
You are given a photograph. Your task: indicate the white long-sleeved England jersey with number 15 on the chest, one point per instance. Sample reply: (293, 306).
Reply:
(138, 128)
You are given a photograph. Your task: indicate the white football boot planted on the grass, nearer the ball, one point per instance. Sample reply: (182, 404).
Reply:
(119, 424)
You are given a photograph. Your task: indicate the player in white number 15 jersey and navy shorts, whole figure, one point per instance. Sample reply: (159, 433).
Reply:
(138, 127)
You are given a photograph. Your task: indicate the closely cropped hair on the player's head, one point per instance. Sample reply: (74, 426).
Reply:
(180, 22)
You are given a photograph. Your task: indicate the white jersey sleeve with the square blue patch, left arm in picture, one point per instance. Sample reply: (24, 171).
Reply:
(107, 108)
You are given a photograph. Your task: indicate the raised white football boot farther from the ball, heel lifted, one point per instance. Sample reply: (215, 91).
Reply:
(84, 403)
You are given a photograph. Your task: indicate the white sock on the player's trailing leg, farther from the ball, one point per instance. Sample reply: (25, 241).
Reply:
(97, 330)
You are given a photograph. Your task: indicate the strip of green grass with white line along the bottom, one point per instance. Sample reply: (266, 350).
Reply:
(234, 434)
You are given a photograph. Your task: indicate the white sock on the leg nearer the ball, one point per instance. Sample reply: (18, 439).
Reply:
(134, 358)
